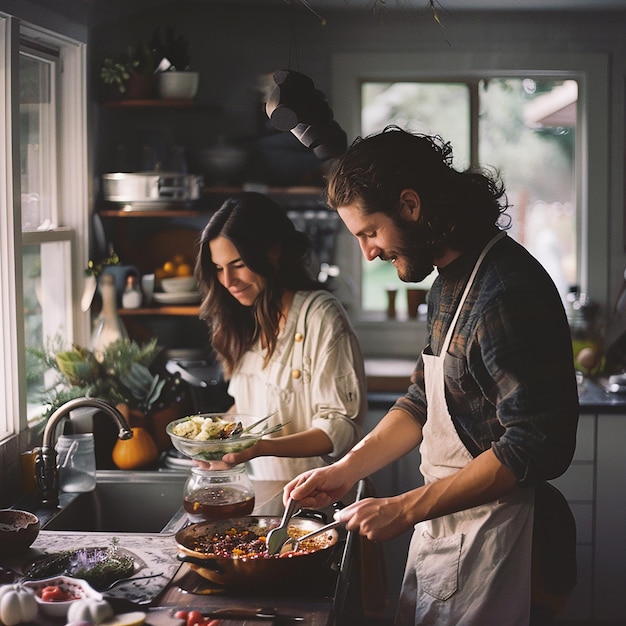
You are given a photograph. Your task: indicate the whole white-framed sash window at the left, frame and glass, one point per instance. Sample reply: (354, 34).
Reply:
(43, 234)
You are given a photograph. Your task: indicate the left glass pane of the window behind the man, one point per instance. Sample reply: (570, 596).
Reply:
(429, 108)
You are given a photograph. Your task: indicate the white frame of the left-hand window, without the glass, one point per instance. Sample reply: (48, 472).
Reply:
(72, 200)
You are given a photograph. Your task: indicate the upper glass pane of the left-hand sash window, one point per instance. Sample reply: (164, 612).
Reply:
(36, 142)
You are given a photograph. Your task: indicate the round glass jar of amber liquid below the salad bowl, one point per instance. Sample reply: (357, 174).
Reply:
(218, 494)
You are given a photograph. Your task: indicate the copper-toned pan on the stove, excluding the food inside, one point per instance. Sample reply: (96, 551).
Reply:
(267, 573)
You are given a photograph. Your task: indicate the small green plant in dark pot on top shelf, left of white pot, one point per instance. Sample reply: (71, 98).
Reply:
(131, 74)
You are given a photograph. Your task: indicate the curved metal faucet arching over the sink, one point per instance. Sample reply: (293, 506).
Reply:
(46, 472)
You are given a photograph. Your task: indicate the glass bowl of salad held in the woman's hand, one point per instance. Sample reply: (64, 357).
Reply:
(209, 436)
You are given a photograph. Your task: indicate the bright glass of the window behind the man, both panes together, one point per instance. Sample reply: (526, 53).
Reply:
(521, 140)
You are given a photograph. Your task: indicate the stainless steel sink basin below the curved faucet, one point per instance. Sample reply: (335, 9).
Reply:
(124, 502)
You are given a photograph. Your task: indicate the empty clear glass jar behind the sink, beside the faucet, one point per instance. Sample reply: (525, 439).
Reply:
(77, 462)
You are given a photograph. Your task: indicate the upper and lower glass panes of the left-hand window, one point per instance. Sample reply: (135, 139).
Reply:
(46, 264)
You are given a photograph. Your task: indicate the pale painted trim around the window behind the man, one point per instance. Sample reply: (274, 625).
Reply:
(591, 71)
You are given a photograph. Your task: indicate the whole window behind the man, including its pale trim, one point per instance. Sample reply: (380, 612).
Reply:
(472, 101)
